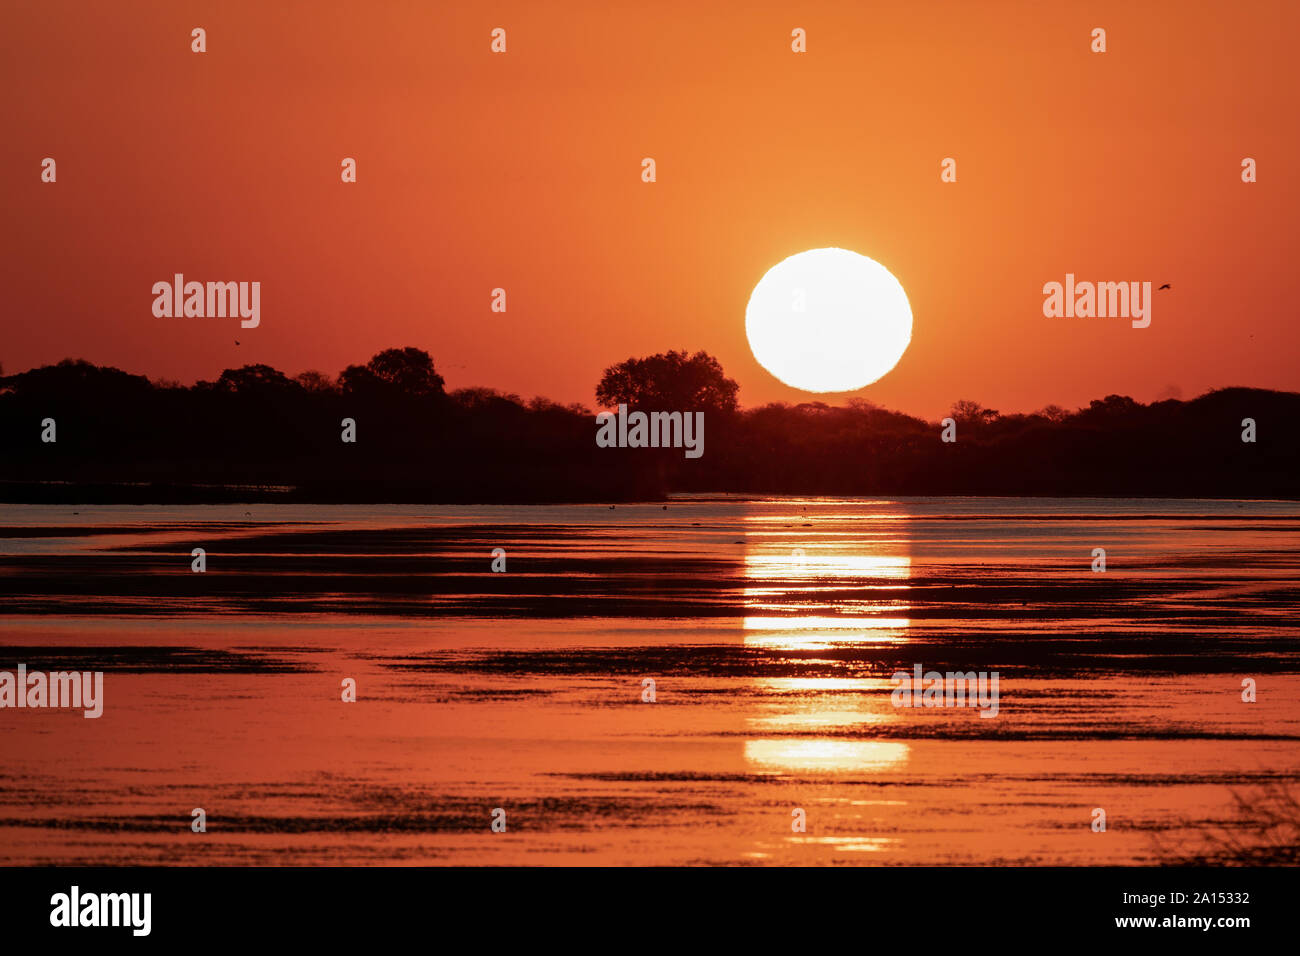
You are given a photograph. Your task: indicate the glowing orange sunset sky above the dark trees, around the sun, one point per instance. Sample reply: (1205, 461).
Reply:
(523, 171)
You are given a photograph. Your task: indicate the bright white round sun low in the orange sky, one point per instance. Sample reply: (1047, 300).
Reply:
(829, 321)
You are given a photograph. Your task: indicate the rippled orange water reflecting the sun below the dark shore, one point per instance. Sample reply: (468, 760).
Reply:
(770, 628)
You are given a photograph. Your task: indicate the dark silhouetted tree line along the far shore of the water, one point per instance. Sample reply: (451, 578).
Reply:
(258, 434)
